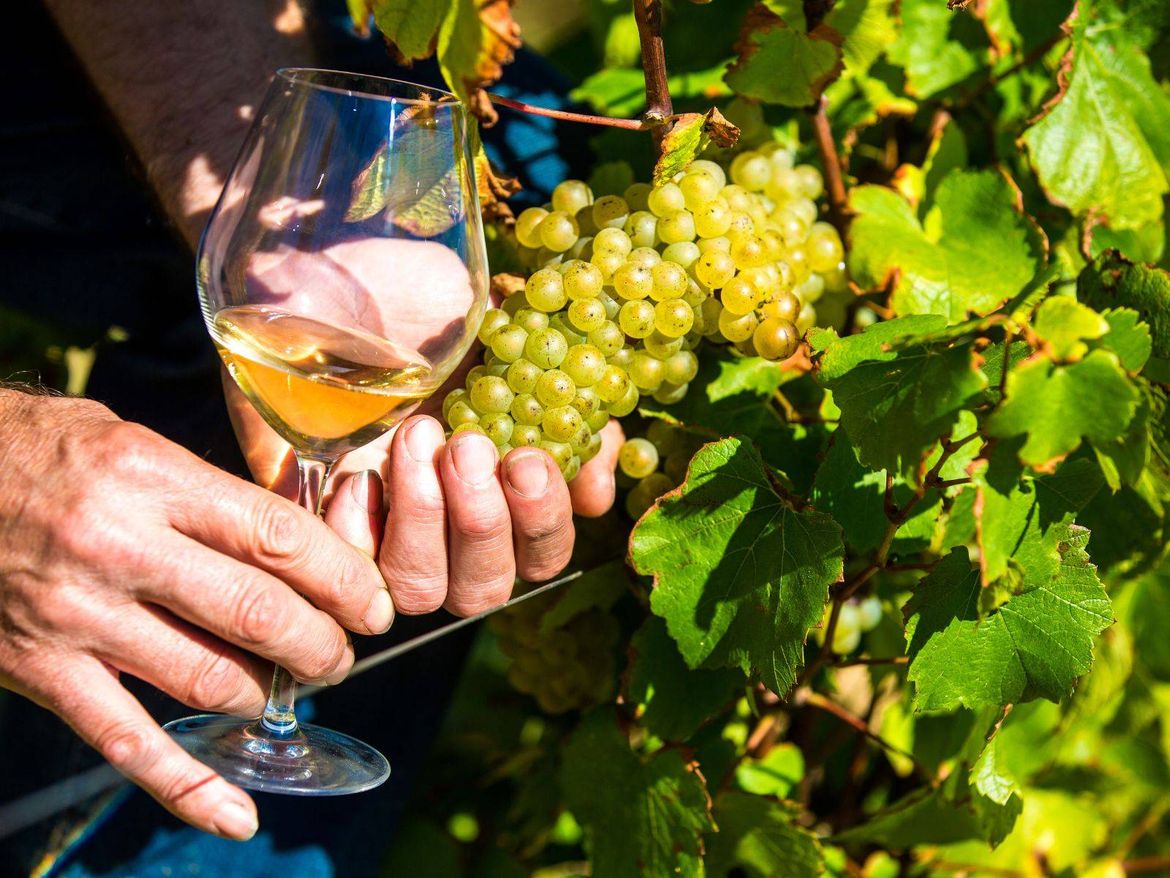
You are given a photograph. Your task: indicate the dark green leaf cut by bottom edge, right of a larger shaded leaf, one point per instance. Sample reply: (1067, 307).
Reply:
(760, 839)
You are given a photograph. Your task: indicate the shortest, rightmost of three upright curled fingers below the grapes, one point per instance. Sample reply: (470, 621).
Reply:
(541, 513)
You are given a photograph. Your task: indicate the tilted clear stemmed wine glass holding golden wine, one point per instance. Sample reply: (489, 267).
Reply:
(342, 277)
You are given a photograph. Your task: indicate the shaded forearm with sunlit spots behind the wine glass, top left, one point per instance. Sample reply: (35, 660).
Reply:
(183, 79)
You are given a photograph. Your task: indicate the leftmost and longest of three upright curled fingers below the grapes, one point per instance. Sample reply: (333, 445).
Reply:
(414, 557)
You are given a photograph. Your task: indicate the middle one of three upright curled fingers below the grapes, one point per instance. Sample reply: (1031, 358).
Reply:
(481, 565)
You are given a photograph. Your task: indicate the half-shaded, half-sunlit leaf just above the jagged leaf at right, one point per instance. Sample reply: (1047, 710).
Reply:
(1021, 519)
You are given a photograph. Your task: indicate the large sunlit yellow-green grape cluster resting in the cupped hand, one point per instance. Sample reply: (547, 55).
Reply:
(625, 289)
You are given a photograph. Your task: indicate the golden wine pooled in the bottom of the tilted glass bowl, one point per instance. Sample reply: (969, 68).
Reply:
(324, 389)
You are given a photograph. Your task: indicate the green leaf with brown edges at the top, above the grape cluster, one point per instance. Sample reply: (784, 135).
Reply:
(780, 64)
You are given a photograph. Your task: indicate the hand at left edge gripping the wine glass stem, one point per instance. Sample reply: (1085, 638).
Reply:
(122, 553)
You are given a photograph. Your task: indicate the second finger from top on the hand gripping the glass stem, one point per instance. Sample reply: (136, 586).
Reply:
(251, 609)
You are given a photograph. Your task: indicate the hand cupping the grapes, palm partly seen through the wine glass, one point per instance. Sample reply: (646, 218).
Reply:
(462, 525)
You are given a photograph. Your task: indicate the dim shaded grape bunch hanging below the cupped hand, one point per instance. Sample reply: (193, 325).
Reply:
(568, 668)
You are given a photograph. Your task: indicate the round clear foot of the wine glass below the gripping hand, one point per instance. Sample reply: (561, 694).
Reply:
(312, 762)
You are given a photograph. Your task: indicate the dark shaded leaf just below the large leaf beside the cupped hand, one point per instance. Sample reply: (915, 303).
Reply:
(676, 701)
